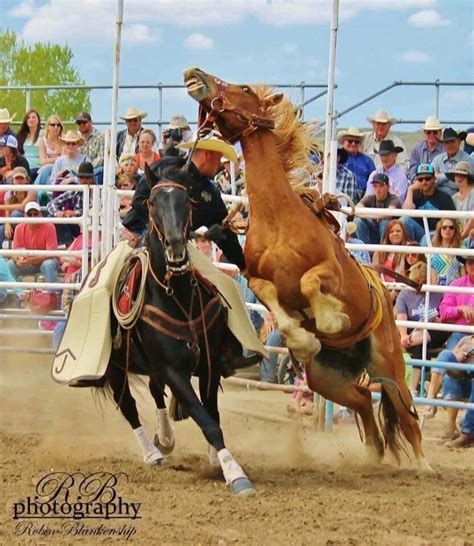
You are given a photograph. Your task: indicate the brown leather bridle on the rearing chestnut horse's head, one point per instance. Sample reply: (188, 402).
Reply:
(220, 104)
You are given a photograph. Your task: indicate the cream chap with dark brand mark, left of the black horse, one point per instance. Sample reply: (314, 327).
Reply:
(85, 348)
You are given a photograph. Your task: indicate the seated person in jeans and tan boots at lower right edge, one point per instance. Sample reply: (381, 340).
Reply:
(456, 386)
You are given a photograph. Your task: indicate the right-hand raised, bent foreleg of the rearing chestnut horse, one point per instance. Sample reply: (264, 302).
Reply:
(317, 286)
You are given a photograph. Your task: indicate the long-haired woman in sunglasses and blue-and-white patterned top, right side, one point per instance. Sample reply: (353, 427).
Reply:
(446, 267)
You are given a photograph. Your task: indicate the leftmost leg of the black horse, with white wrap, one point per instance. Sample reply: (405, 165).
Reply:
(118, 381)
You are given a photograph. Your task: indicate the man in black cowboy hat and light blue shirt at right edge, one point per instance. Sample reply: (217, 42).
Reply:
(447, 160)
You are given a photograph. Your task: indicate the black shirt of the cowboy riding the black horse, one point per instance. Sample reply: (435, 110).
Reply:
(210, 208)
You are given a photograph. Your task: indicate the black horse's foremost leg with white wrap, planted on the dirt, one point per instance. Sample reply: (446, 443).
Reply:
(234, 476)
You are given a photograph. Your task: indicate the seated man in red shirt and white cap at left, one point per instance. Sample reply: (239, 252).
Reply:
(34, 237)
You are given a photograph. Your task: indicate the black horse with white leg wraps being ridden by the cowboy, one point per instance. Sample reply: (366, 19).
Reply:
(180, 333)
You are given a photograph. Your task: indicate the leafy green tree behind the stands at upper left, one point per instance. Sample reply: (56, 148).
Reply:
(40, 64)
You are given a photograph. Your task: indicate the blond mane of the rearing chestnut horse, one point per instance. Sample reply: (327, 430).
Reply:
(296, 140)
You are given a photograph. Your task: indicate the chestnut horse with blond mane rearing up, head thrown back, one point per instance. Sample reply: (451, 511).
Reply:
(335, 314)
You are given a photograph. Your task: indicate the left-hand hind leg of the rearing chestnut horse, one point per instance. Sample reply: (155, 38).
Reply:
(341, 389)
